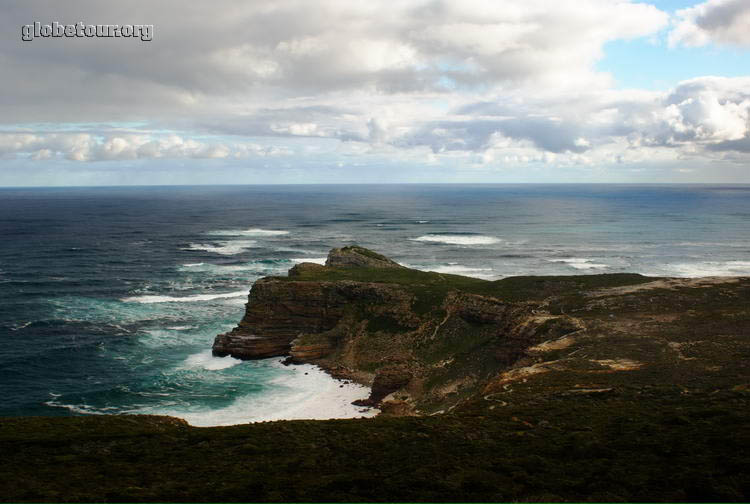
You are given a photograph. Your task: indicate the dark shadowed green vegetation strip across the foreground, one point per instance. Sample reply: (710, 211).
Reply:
(633, 446)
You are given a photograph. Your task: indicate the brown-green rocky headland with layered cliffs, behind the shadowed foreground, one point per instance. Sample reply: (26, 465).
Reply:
(429, 343)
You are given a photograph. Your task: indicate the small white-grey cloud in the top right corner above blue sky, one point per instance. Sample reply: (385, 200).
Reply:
(724, 22)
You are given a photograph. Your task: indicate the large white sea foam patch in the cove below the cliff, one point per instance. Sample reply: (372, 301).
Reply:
(303, 392)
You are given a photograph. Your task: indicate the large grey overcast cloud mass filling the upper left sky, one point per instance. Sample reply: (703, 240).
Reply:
(231, 58)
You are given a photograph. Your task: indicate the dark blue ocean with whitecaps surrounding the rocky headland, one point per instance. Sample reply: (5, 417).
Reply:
(110, 297)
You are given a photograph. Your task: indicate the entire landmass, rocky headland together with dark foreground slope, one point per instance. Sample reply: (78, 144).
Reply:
(614, 387)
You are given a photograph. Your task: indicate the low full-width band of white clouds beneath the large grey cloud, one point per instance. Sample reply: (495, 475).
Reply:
(697, 117)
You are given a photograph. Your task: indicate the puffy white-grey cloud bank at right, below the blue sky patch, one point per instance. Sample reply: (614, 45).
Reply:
(697, 114)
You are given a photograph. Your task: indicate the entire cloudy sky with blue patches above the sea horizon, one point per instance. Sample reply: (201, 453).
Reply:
(415, 91)
